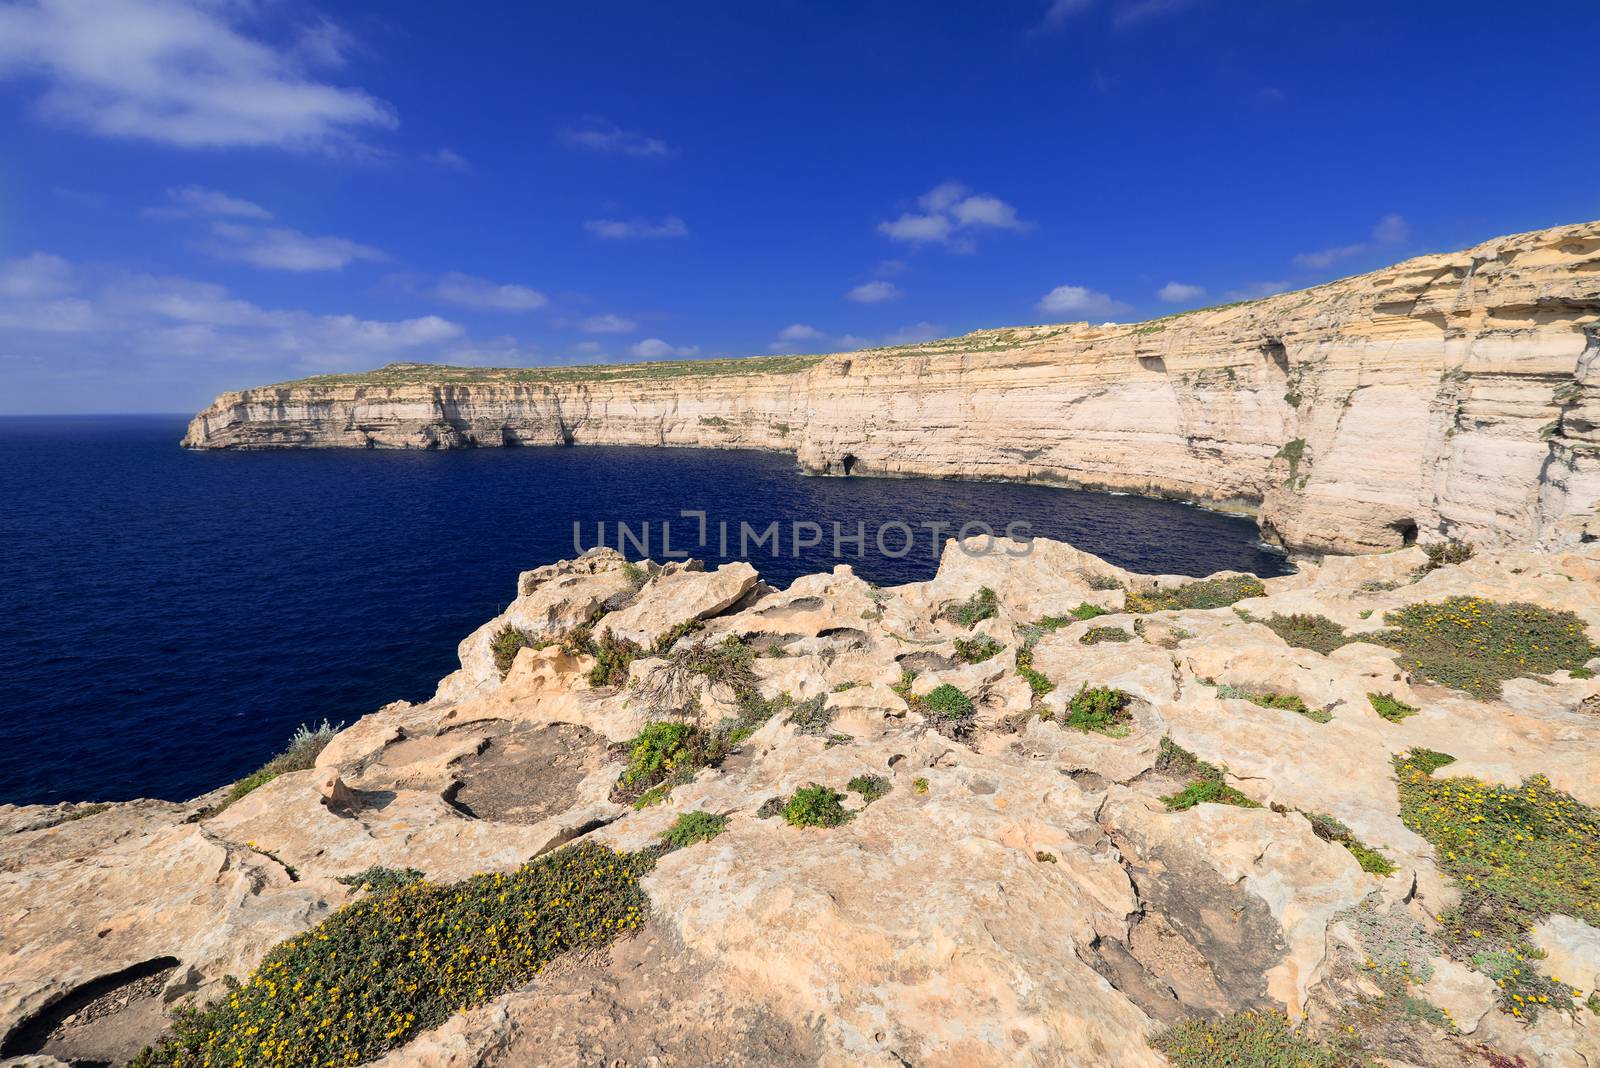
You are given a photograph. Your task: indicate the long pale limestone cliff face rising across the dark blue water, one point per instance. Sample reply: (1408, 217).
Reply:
(1449, 396)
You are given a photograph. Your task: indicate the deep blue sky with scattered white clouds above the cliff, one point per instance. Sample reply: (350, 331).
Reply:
(215, 194)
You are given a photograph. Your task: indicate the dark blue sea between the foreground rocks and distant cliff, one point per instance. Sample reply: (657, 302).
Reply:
(169, 618)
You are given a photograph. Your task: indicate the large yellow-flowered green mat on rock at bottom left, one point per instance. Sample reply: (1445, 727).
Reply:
(393, 965)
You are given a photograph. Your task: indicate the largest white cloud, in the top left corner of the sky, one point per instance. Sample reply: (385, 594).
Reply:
(178, 73)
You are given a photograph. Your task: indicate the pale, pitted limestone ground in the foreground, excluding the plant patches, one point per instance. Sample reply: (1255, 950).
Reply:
(1022, 893)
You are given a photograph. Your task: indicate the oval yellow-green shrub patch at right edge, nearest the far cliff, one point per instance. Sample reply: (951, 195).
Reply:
(1474, 645)
